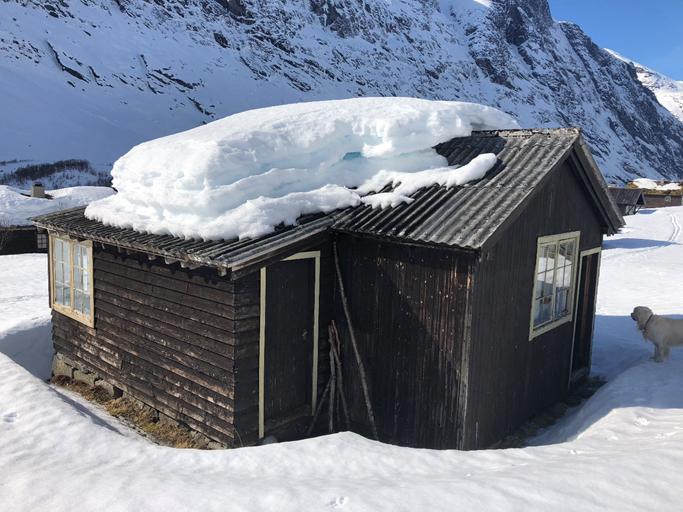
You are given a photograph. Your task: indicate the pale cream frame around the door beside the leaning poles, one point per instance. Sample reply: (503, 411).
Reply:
(315, 255)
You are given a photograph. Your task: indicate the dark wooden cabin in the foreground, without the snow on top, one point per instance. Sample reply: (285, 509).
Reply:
(472, 307)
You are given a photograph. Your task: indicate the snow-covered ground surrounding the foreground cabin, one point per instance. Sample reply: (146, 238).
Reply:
(622, 450)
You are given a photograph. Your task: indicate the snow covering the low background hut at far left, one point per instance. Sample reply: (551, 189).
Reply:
(16, 207)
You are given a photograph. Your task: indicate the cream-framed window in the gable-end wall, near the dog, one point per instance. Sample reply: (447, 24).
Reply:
(554, 282)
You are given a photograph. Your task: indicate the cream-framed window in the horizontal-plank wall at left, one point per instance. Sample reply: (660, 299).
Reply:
(72, 278)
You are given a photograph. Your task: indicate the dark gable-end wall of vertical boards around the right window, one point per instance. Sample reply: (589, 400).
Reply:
(512, 378)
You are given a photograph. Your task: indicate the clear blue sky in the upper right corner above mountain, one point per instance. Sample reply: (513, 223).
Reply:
(647, 31)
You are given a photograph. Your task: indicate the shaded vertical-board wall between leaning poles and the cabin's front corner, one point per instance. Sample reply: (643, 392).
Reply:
(409, 309)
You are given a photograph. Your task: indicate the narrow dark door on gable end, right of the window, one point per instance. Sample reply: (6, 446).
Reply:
(585, 316)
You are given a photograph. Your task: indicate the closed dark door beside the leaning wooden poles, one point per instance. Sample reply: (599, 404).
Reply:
(288, 342)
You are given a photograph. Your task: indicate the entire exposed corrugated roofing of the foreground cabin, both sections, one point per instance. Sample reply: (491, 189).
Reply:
(463, 217)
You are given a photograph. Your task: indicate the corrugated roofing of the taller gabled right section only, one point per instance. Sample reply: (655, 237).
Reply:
(467, 216)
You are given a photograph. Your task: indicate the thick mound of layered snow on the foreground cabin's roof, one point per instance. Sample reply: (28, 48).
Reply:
(245, 174)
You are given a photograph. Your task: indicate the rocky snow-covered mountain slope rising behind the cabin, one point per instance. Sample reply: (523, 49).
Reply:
(91, 78)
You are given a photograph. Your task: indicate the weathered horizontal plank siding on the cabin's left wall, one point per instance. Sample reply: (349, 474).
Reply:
(167, 336)
